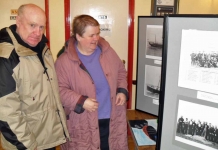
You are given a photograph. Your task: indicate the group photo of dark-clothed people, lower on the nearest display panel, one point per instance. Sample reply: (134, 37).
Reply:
(196, 125)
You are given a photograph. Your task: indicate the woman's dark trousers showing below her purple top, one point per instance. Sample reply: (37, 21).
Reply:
(104, 133)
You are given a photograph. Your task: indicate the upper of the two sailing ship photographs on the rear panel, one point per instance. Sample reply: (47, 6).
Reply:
(154, 41)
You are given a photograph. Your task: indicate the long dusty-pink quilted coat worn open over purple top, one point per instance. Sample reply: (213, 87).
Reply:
(75, 82)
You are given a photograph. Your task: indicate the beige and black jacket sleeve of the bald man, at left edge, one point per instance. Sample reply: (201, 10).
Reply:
(13, 126)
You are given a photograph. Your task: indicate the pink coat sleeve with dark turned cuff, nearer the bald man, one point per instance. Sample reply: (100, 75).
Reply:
(71, 100)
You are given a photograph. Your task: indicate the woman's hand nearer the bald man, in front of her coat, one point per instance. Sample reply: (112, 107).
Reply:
(90, 104)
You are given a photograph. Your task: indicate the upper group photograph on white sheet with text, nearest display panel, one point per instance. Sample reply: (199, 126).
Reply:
(198, 68)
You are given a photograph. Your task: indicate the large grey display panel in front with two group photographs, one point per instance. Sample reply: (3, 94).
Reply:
(188, 101)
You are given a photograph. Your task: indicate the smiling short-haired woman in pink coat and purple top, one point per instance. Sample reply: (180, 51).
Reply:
(93, 89)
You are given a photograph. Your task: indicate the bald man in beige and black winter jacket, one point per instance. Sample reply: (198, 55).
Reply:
(31, 114)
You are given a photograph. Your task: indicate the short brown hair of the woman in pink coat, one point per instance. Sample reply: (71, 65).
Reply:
(80, 23)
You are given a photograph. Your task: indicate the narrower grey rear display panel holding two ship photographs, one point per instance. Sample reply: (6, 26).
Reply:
(149, 60)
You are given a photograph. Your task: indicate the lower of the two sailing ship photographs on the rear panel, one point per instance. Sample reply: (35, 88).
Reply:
(152, 81)
